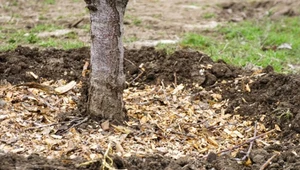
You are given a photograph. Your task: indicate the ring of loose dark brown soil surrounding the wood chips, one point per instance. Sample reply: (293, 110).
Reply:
(257, 95)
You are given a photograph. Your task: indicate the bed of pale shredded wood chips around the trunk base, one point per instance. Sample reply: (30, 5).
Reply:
(164, 119)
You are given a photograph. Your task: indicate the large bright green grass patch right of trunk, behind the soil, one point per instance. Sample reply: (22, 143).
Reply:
(242, 43)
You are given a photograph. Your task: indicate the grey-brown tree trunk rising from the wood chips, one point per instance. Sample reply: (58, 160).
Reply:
(107, 78)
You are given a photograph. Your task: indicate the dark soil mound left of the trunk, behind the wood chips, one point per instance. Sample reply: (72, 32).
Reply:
(47, 64)
